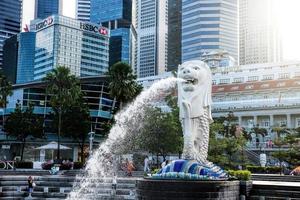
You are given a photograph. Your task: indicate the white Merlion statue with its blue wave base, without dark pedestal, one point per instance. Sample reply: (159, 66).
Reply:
(194, 99)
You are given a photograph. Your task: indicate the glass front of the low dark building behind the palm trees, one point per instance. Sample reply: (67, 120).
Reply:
(99, 102)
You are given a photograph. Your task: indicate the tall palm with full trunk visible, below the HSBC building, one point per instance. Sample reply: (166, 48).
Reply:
(64, 90)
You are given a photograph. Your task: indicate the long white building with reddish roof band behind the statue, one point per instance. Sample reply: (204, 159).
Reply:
(267, 95)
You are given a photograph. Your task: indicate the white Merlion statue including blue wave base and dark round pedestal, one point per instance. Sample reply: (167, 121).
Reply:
(192, 177)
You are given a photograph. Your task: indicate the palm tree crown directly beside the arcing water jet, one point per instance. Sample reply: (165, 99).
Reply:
(122, 84)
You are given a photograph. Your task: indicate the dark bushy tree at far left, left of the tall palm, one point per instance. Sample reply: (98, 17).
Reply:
(23, 122)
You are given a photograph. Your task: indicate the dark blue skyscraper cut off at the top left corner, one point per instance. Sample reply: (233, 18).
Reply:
(10, 21)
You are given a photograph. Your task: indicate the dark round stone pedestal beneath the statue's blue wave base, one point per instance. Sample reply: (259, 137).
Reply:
(187, 189)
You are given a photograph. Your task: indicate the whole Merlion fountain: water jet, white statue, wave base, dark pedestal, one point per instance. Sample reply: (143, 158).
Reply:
(193, 176)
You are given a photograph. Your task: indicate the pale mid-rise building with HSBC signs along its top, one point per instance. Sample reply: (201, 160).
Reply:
(62, 41)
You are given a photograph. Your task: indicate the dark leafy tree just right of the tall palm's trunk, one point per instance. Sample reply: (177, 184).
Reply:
(76, 123)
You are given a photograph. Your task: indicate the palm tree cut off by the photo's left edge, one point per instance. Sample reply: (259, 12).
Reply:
(5, 91)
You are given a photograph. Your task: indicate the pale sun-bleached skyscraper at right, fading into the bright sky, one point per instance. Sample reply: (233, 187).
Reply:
(260, 40)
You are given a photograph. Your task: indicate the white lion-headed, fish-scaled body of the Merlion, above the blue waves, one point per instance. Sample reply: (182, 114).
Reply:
(194, 99)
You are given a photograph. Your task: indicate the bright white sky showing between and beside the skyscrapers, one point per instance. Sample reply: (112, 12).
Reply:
(288, 12)
